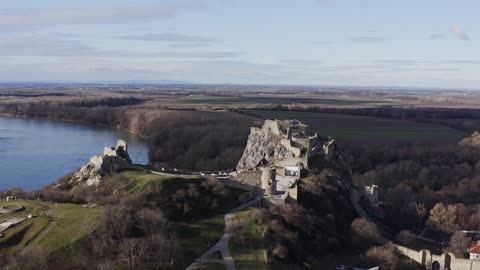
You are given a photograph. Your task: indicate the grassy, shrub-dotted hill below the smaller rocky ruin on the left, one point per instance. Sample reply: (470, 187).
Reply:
(133, 219)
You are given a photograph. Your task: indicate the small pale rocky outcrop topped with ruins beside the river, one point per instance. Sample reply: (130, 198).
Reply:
(112, 160)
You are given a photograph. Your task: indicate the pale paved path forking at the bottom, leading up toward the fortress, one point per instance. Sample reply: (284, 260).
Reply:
(222, 245)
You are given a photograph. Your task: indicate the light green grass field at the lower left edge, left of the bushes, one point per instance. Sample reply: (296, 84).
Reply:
(55, 227)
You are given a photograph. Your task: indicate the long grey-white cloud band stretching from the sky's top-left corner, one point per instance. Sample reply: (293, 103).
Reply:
(31, 19)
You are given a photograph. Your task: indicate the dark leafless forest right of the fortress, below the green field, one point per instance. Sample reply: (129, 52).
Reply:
(416, 180)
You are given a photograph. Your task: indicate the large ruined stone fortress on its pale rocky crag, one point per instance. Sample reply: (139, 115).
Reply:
(277, 154)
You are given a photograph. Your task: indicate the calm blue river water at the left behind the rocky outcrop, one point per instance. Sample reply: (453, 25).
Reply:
(35, 153)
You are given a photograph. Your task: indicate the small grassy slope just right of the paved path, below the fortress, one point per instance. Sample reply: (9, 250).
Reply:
(252, 256)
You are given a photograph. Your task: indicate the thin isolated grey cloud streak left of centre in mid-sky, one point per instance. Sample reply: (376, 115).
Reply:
(170, 37)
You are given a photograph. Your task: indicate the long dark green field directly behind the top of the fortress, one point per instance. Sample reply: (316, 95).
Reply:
(363, 129)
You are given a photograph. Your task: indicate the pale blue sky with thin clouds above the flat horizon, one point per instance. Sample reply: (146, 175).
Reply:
(385, 43)
